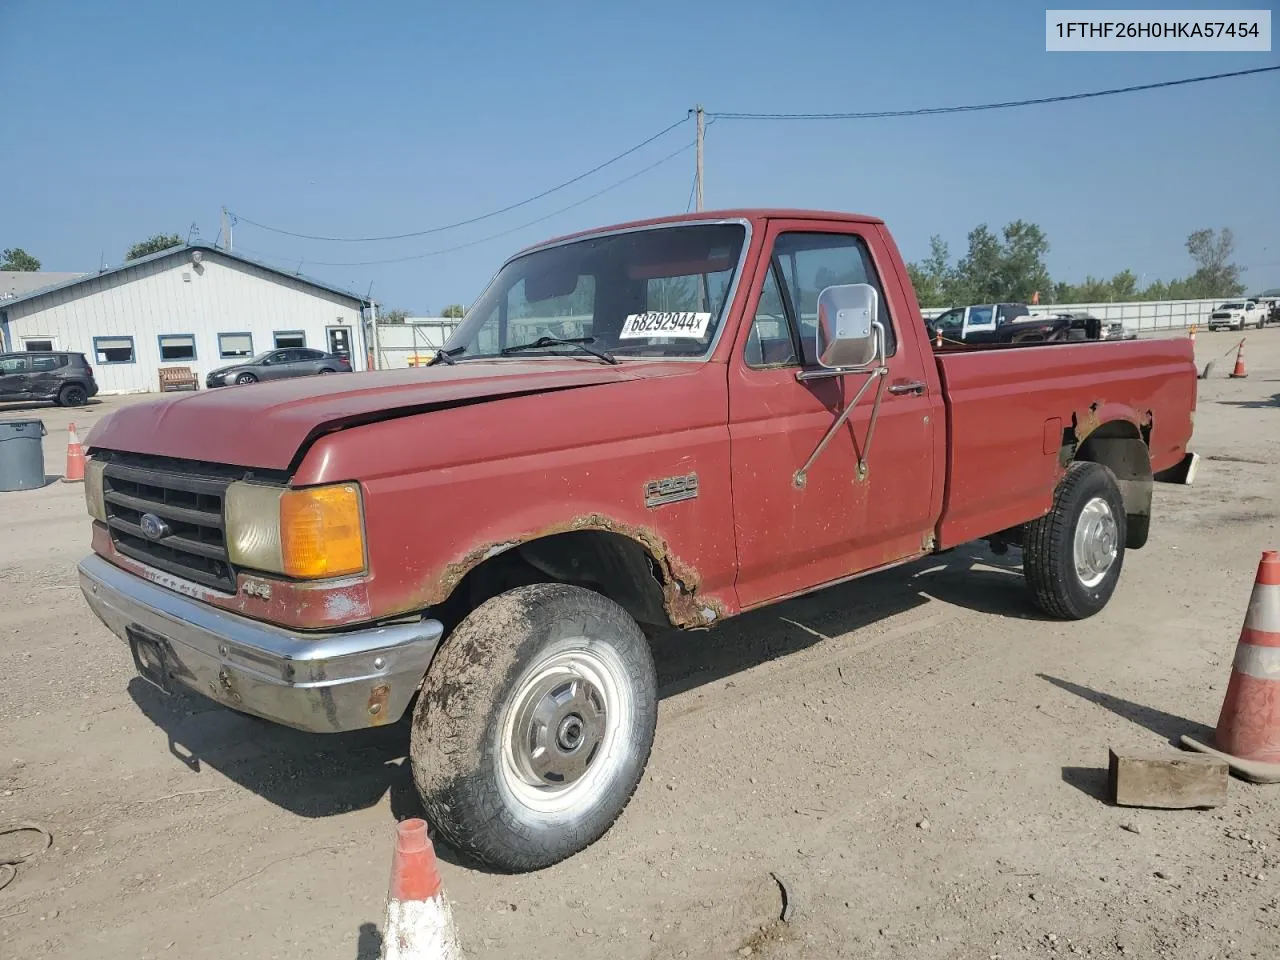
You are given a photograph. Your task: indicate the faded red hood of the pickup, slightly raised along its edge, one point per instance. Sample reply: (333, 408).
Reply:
(266, 426)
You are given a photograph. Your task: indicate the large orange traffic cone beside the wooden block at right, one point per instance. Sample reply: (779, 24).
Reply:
(1249, 728)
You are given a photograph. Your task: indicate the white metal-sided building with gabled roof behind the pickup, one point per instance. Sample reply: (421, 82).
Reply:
(195, 305)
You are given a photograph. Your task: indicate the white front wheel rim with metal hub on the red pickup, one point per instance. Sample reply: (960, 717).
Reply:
(564, 732)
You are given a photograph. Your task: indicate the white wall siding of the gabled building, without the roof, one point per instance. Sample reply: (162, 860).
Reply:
(175, 296)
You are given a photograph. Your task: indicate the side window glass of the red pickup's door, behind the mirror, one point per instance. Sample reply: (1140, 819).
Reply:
(812, 262)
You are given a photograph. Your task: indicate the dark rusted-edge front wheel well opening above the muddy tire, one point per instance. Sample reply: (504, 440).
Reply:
(610, 564)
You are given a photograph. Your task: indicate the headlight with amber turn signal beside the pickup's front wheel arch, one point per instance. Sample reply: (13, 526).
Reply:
(309, 534)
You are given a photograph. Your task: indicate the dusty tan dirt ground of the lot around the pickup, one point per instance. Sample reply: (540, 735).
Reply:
(920, 758)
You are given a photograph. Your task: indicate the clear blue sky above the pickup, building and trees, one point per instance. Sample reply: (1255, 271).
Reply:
(339, 118)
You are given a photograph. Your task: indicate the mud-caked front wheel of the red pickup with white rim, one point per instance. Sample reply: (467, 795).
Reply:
(534, 726)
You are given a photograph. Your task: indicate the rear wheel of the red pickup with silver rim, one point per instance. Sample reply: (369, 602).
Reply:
(1073, 556)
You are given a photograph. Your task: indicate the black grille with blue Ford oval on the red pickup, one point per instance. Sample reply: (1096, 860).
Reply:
(188, 497)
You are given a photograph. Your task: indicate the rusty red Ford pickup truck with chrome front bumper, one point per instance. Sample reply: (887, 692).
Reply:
(638, 428)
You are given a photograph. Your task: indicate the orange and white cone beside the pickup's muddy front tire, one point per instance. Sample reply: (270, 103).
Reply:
(419, 920)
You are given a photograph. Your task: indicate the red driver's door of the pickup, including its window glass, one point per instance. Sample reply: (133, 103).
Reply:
(796, 536)
